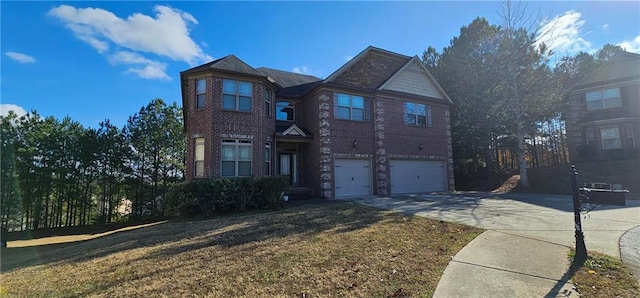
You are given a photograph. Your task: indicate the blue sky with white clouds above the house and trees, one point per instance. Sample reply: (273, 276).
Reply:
(104, 60)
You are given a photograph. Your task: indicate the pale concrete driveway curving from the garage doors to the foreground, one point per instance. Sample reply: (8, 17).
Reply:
(524, 251)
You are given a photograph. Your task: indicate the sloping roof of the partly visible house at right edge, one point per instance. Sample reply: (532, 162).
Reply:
(621, 69)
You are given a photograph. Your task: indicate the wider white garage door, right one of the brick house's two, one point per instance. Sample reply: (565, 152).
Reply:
(411, 176)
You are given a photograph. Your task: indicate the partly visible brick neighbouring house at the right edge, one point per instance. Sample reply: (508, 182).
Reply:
(604, 120)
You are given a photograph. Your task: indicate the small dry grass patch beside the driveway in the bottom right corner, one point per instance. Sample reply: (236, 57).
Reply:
(604, 276)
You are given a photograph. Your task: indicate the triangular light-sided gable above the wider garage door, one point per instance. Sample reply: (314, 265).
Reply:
(424, 83)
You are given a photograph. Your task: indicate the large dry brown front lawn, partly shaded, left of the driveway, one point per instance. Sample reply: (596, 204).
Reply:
(309, 250)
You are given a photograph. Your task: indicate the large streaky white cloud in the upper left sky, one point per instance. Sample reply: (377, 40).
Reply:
(164, 35)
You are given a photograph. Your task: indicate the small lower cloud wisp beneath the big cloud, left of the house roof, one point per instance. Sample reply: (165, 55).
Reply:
(144, 68)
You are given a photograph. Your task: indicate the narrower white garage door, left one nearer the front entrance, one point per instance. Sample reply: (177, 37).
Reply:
(353, 177)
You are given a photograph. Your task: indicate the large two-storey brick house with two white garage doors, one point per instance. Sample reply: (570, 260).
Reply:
(378, 125)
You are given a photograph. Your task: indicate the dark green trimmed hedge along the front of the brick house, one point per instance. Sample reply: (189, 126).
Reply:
(224, 195)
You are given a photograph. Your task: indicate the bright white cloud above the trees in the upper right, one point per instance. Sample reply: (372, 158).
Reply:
(562, 34)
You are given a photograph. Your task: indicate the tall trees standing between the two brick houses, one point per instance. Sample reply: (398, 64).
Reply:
(509, 91)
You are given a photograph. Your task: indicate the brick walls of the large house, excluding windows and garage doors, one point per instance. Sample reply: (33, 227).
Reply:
(381, 137)
